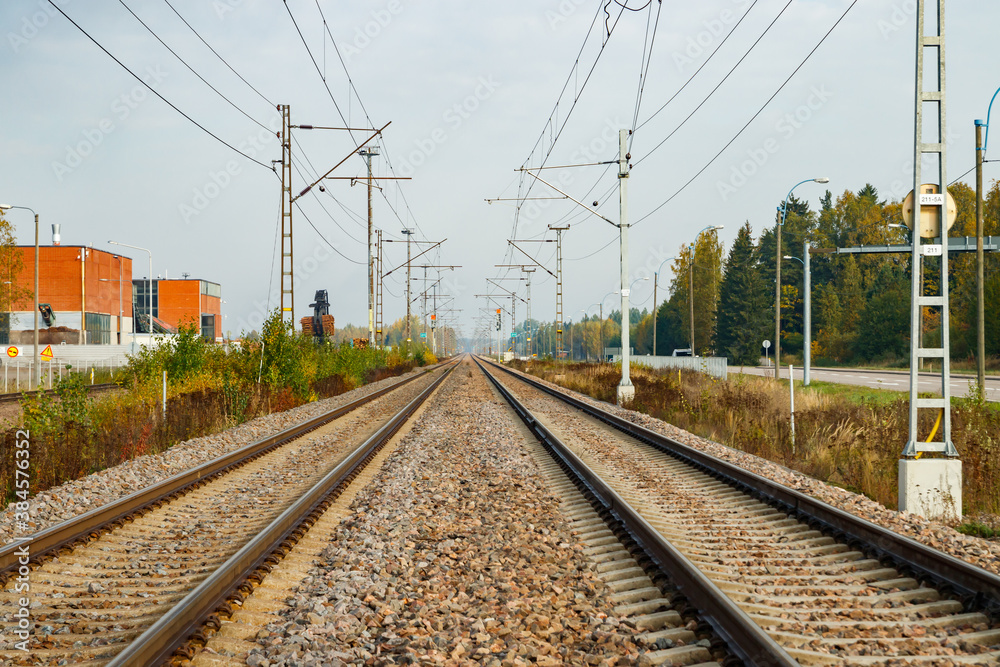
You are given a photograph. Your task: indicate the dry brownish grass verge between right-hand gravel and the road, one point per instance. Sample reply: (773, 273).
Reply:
(845, 435)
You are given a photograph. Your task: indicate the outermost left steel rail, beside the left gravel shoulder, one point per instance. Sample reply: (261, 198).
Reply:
(82, 527)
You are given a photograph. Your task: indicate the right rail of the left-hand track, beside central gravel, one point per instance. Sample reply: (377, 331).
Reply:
(159, 642)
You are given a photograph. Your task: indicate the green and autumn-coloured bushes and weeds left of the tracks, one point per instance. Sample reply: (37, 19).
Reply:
(73, 434)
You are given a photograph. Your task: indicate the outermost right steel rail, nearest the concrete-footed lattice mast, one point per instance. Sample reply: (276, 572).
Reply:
(978, 589)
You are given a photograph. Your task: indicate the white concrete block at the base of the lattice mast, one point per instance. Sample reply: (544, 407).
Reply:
(931, 488)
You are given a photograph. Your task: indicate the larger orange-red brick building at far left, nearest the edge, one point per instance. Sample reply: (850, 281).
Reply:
(88, 290)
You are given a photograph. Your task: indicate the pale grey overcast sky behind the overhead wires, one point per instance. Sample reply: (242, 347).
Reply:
(471, 91)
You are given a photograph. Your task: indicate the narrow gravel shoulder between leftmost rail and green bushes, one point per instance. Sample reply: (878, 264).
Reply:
(82, 495)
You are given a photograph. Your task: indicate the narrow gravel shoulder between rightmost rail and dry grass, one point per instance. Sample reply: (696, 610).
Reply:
(979, 552)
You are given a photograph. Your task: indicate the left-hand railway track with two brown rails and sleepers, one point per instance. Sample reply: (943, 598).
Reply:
(136, 578)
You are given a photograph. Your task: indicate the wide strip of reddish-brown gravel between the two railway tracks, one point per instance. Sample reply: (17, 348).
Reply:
(456, 554)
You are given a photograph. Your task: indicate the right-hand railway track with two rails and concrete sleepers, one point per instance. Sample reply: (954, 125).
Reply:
(784, 578)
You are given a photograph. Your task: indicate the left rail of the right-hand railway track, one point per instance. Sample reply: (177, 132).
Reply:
(744, 637)
